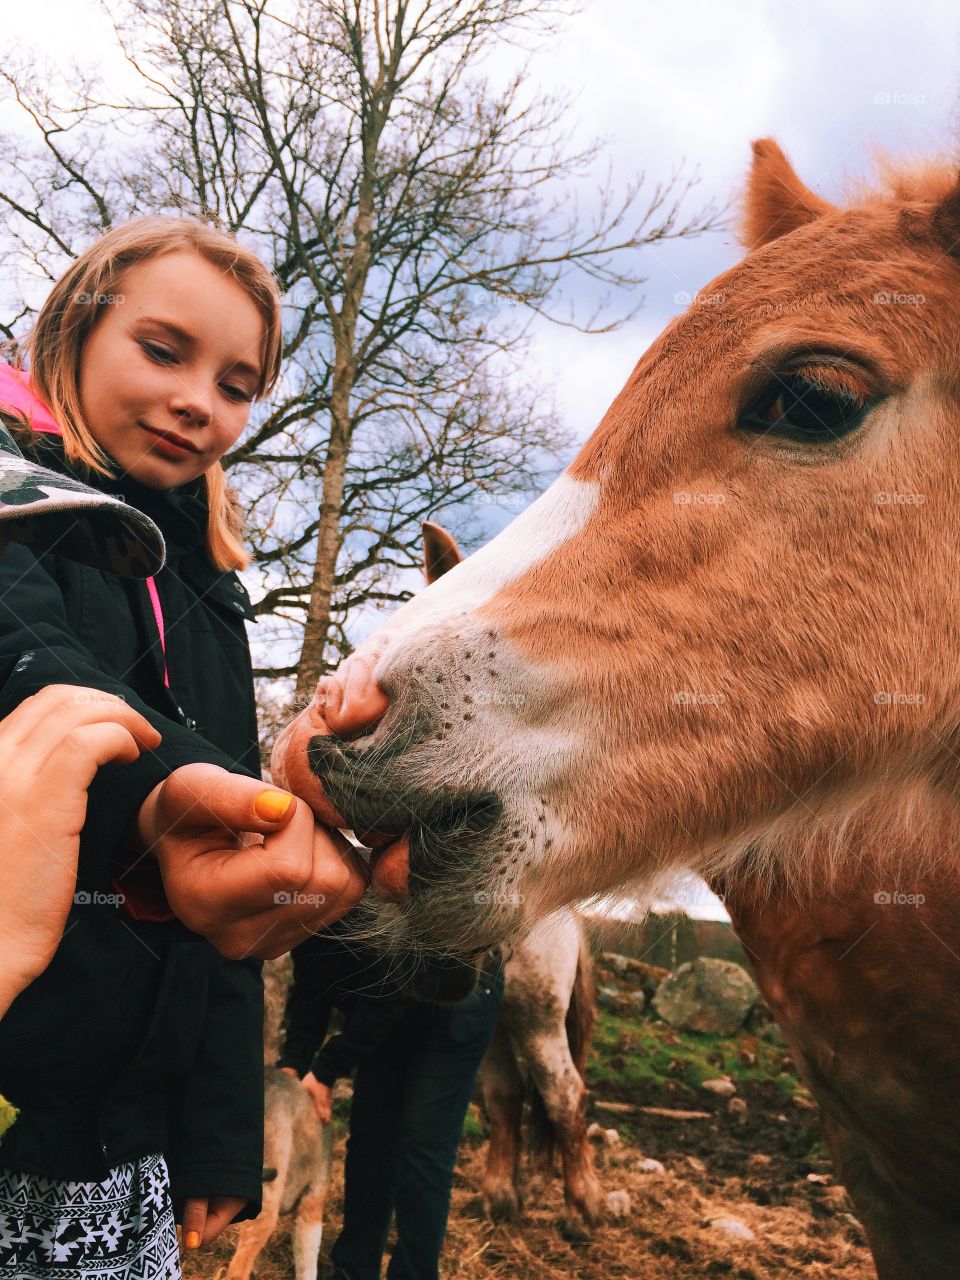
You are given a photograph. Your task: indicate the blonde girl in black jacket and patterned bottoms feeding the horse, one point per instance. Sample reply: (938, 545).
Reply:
(136, 1057)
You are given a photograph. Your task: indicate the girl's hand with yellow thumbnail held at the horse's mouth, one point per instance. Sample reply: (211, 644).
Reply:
(249, 897)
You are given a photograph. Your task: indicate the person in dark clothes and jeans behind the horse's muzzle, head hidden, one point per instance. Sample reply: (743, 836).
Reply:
(415, 1066)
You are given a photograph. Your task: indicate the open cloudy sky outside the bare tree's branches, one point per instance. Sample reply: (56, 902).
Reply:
(693, 80)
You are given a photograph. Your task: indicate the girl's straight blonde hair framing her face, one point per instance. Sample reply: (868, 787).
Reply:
(71, 312)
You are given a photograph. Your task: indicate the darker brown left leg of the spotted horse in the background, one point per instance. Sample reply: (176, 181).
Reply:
(504, 1101)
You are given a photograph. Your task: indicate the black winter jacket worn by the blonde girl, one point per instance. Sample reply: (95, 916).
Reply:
(140, 1037)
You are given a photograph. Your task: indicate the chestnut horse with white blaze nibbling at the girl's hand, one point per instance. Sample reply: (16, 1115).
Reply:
(726, 639)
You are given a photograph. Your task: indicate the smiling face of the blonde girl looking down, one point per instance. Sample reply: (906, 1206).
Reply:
(170, 371)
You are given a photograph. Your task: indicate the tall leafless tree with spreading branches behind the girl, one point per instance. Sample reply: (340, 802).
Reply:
(417, 213)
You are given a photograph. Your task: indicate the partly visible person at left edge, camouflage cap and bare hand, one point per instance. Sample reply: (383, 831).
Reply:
(53, 744)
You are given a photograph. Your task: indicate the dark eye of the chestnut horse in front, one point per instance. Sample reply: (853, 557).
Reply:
(793, 408)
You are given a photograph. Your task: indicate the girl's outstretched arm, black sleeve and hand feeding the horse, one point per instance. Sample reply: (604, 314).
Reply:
(39, 648)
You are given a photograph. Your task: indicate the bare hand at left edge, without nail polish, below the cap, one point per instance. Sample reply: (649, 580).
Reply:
(51, 749)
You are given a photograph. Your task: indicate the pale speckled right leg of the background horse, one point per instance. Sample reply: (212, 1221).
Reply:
(564, 1095)
